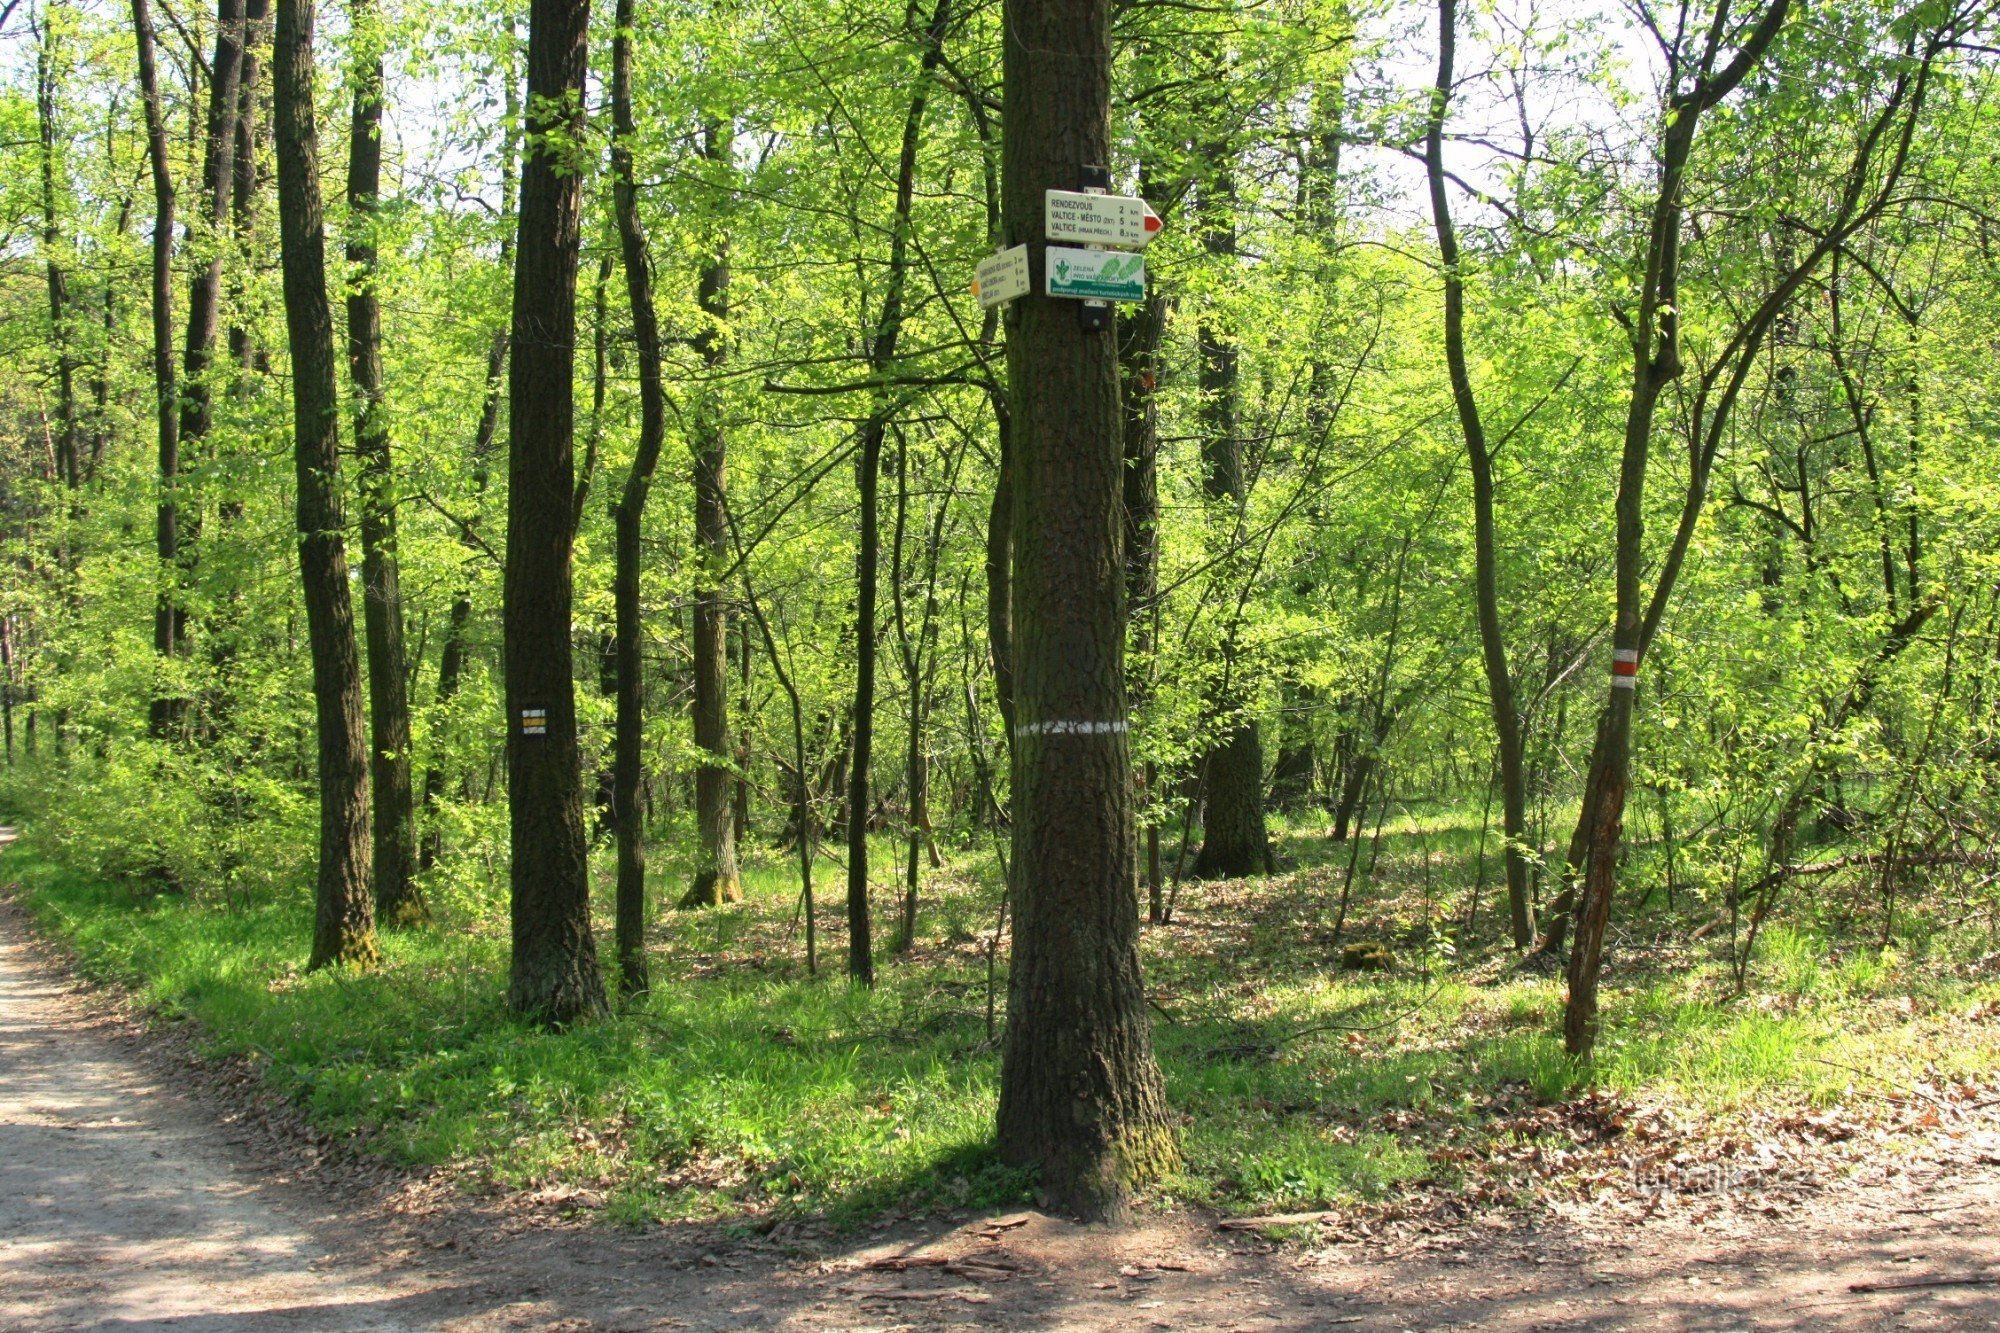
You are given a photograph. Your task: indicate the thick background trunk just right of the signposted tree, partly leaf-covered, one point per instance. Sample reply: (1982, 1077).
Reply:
(1235, 840)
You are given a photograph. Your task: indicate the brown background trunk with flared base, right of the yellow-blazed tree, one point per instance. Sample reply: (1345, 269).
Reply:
(715, 874)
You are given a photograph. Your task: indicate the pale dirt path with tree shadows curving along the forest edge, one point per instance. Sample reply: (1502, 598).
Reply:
(131, 1196)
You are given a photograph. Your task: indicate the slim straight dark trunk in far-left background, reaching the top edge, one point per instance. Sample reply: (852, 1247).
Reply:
(167, 706)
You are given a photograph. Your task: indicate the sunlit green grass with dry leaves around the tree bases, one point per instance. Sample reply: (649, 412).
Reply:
(745, 1090)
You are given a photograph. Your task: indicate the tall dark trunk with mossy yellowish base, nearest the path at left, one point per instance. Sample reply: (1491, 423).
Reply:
(345, 920)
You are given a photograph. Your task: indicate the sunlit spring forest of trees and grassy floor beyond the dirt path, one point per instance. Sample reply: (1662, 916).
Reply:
(547, 611)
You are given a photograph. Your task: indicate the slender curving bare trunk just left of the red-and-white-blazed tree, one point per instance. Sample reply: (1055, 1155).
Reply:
(1485, 555)
